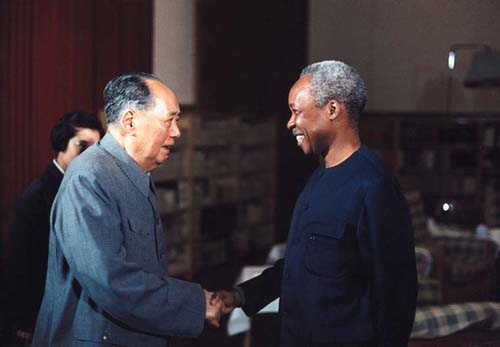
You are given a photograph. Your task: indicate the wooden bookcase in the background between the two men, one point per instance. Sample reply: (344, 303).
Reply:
(216, 191)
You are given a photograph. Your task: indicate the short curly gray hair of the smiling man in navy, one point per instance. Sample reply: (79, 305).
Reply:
(336, 80)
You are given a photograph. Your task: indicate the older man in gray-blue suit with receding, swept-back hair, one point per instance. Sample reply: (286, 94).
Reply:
(107, 279)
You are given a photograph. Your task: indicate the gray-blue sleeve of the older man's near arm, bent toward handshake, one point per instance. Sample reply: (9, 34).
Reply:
(88, 229)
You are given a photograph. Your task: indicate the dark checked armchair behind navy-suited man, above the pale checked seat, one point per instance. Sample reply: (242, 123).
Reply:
(463, 266)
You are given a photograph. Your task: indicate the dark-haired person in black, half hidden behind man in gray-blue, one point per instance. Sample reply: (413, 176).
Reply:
(27, 263)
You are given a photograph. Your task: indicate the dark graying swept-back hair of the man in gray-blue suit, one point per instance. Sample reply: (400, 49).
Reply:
(127, 91)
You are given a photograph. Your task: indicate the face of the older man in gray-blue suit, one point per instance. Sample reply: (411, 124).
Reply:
(156, 129)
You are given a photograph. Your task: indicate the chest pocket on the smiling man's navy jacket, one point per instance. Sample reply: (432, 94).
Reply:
(331, 249)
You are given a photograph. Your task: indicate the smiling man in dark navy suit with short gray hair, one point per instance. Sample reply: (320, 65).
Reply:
(348, 277)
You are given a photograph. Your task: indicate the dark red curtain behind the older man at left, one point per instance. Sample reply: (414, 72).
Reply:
(55, 57)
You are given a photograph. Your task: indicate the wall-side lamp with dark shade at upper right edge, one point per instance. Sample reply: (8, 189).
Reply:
(483, 71)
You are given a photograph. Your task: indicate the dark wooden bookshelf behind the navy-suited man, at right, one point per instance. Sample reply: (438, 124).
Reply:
(446, 157)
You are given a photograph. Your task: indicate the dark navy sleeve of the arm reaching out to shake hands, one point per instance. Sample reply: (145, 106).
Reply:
(263, 289)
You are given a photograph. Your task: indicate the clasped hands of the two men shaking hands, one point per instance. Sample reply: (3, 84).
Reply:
(220, 303)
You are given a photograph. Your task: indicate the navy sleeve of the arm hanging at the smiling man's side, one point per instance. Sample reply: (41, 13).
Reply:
(389, 252)
